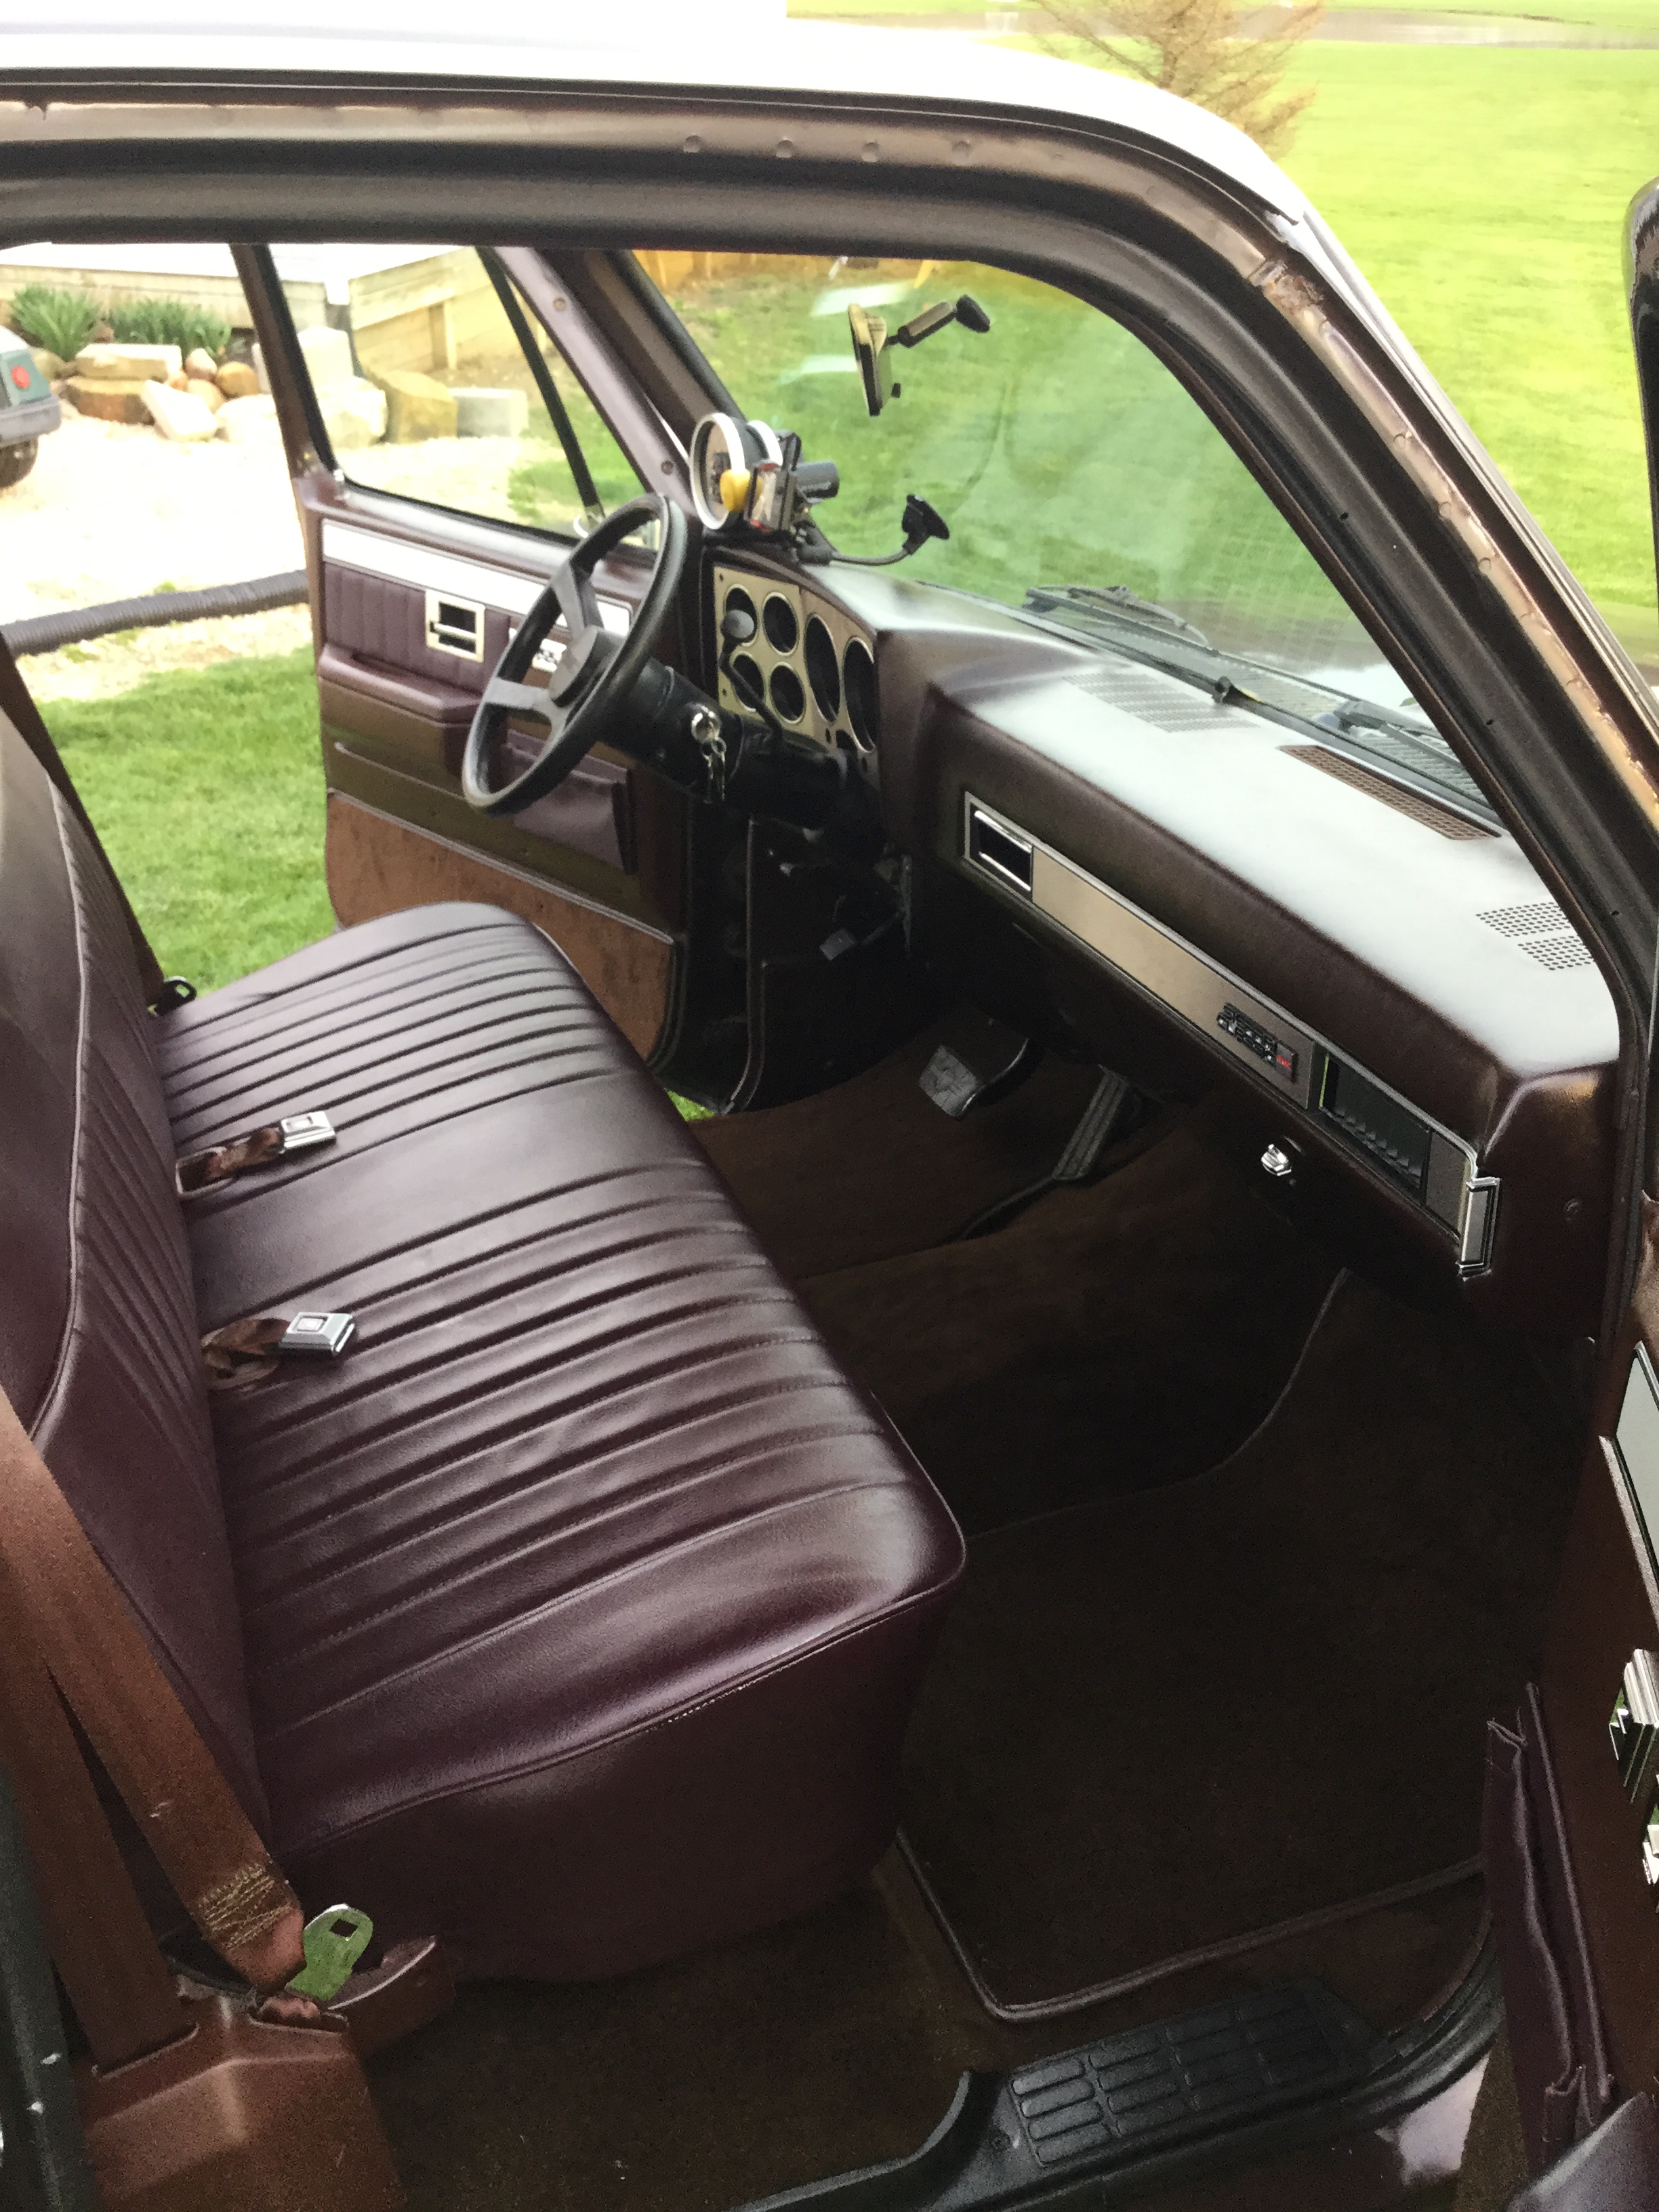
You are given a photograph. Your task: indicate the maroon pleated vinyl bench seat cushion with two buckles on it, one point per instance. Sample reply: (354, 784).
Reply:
(585, 1598)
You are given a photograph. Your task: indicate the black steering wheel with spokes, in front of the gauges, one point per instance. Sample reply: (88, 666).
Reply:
(594, 674)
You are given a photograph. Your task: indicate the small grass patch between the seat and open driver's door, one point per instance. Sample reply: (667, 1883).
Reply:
(207, 789)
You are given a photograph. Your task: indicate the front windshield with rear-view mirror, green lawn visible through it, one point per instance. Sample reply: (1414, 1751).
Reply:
(1056, 446)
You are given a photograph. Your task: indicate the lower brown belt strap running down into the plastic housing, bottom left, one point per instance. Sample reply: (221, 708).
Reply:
(96, 1930)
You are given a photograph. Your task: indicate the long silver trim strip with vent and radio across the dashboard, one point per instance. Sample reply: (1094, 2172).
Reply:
(1291, 1061)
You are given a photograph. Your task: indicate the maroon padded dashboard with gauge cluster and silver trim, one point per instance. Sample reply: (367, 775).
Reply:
(1335, 924)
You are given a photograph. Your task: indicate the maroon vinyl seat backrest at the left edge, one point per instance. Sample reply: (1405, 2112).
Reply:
(98, 1337)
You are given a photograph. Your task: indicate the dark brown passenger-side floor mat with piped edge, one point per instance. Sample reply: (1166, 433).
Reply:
(1178, 1718)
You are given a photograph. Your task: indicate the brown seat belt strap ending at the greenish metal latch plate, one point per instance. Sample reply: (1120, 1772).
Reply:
(136, 1724)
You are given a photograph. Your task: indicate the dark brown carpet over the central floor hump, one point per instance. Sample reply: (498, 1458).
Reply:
(1109, 1339)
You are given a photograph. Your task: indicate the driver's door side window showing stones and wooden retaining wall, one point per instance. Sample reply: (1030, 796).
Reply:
(437, 382)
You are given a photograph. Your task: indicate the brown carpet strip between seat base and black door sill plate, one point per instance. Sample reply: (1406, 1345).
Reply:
(689, 2089)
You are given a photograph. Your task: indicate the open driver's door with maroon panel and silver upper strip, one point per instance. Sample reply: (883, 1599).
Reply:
(413, 607)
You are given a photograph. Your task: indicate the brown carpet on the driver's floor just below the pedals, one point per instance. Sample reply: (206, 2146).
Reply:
(873, 1167)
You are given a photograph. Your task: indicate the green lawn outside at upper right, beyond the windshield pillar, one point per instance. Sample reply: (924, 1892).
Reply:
(1483, 194)
